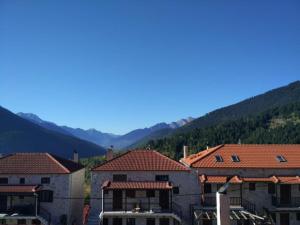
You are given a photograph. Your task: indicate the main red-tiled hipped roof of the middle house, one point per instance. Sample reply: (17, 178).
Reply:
(141, 160)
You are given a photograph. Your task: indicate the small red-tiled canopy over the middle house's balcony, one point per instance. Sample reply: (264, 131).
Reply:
(142, 185)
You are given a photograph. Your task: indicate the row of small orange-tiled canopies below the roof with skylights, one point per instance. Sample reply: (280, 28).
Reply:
(235, 180)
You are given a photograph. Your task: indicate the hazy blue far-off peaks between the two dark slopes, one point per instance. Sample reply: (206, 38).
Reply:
(105, 139)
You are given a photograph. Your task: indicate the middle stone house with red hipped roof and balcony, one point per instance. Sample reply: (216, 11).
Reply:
(142, 187)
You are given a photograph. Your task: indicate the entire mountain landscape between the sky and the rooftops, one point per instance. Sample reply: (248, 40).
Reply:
(28, 132)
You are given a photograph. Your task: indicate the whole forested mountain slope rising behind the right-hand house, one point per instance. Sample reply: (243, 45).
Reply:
(272, 117)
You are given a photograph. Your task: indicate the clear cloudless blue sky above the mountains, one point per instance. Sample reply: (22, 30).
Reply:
(121, 65)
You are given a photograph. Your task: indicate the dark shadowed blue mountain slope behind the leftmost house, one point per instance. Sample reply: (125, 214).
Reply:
(20, 135)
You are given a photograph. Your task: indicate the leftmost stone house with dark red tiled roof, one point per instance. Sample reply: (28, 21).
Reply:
(40, 188)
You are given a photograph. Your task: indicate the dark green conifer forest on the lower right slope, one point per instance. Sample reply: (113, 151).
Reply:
(258, 129)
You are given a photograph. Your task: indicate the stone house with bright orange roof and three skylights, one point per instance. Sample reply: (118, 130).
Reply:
(264, 183)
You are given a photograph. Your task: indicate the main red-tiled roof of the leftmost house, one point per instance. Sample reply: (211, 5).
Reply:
(36, 163)
